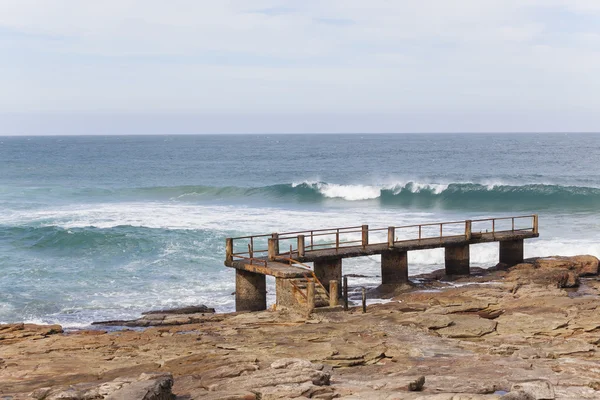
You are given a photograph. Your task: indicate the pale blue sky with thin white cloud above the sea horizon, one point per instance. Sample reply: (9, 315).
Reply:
(267, 66)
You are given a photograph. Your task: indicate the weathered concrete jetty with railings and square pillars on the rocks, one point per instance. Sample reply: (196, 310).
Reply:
(256, 256)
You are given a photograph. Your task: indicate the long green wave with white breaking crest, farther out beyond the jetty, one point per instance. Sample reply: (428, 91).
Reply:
(413, 194)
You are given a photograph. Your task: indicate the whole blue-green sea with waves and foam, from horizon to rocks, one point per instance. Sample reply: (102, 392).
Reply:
(96, 228)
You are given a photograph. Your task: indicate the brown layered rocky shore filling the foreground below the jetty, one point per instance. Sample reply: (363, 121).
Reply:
(531, 331)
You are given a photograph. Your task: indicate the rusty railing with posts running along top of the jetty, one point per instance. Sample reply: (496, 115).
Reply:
(257, 249)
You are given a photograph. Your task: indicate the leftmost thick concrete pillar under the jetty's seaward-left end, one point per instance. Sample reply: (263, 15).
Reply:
(250, 291)
